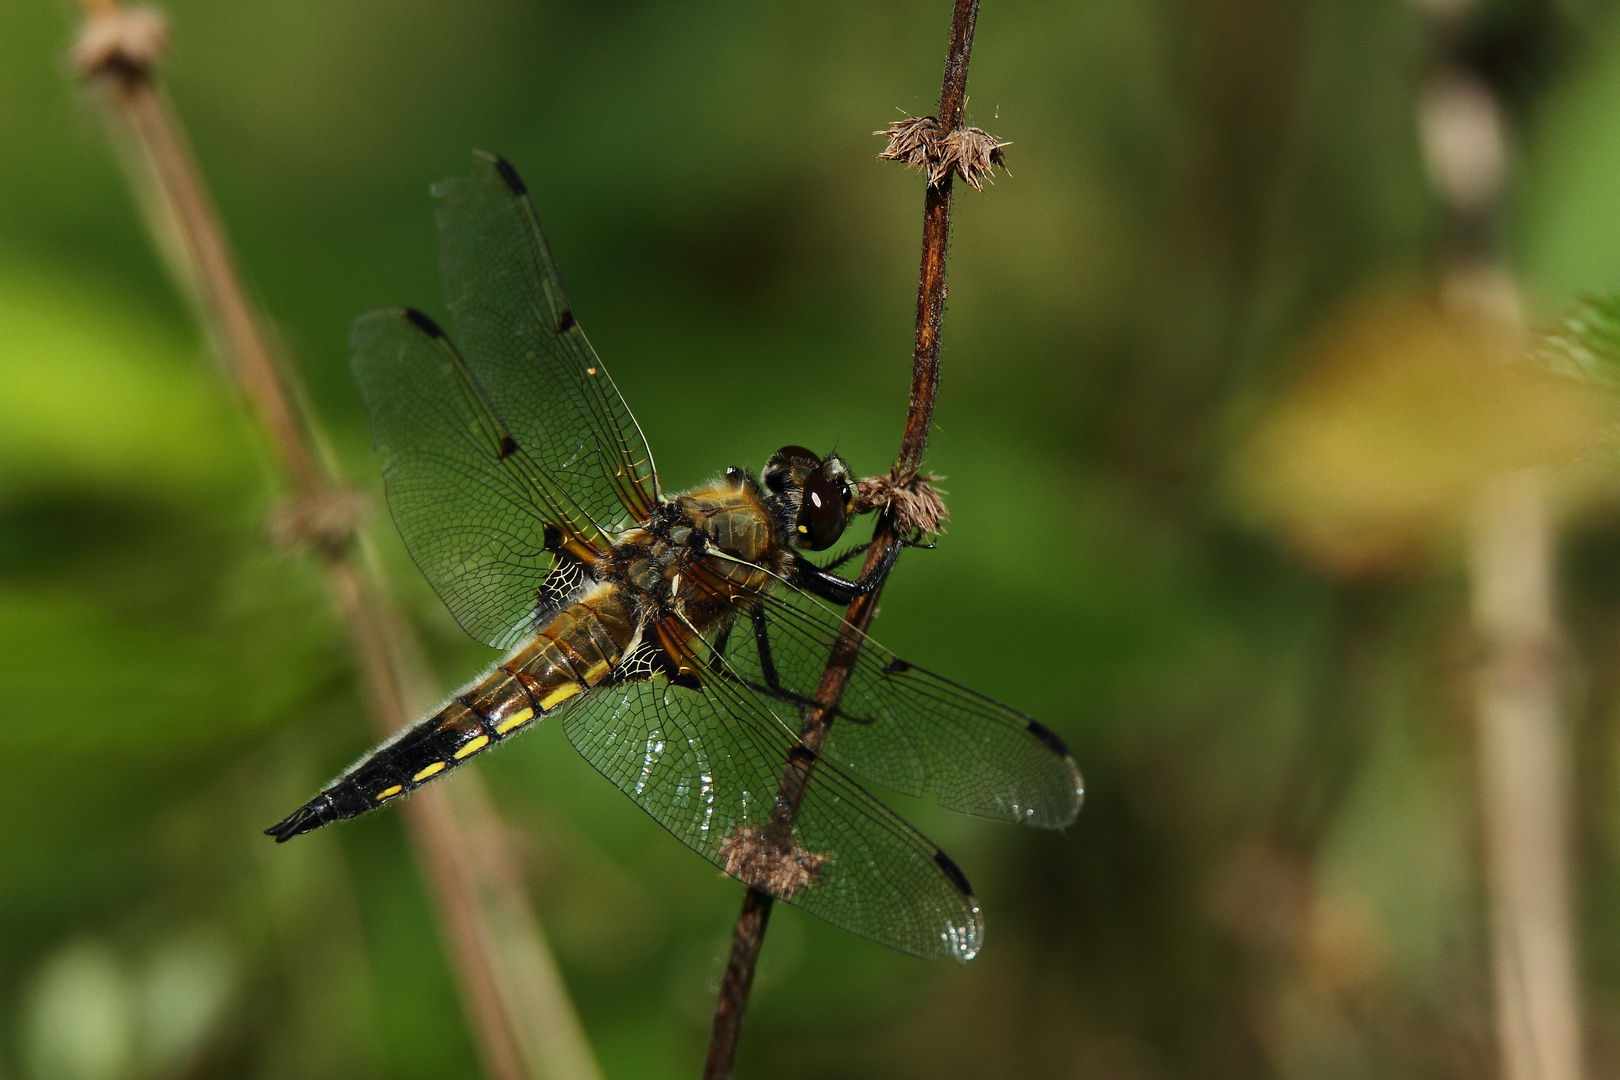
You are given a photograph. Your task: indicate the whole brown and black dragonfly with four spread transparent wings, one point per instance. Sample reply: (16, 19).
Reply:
(678, 639)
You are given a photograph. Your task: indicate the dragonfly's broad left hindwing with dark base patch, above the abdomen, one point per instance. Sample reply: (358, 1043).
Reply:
(472, 506)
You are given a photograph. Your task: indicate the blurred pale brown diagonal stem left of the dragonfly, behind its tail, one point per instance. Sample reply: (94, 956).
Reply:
(522, 1021)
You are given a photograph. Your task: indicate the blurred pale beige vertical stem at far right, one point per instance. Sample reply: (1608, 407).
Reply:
(1524, 772)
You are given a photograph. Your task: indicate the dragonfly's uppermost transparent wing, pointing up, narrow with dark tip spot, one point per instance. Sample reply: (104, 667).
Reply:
(524, 346)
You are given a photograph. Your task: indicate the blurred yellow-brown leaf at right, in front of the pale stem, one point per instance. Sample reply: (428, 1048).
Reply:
(1400, 410)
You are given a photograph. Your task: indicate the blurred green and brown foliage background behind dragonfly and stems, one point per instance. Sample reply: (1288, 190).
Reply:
(1277, 867)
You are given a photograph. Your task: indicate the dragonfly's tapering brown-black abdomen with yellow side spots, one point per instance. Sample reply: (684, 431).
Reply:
(565, 660)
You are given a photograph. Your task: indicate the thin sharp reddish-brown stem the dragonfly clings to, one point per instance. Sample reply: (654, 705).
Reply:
(914, 441)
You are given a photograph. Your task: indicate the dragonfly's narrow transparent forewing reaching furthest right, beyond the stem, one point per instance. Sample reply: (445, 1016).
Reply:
(903, 726)
